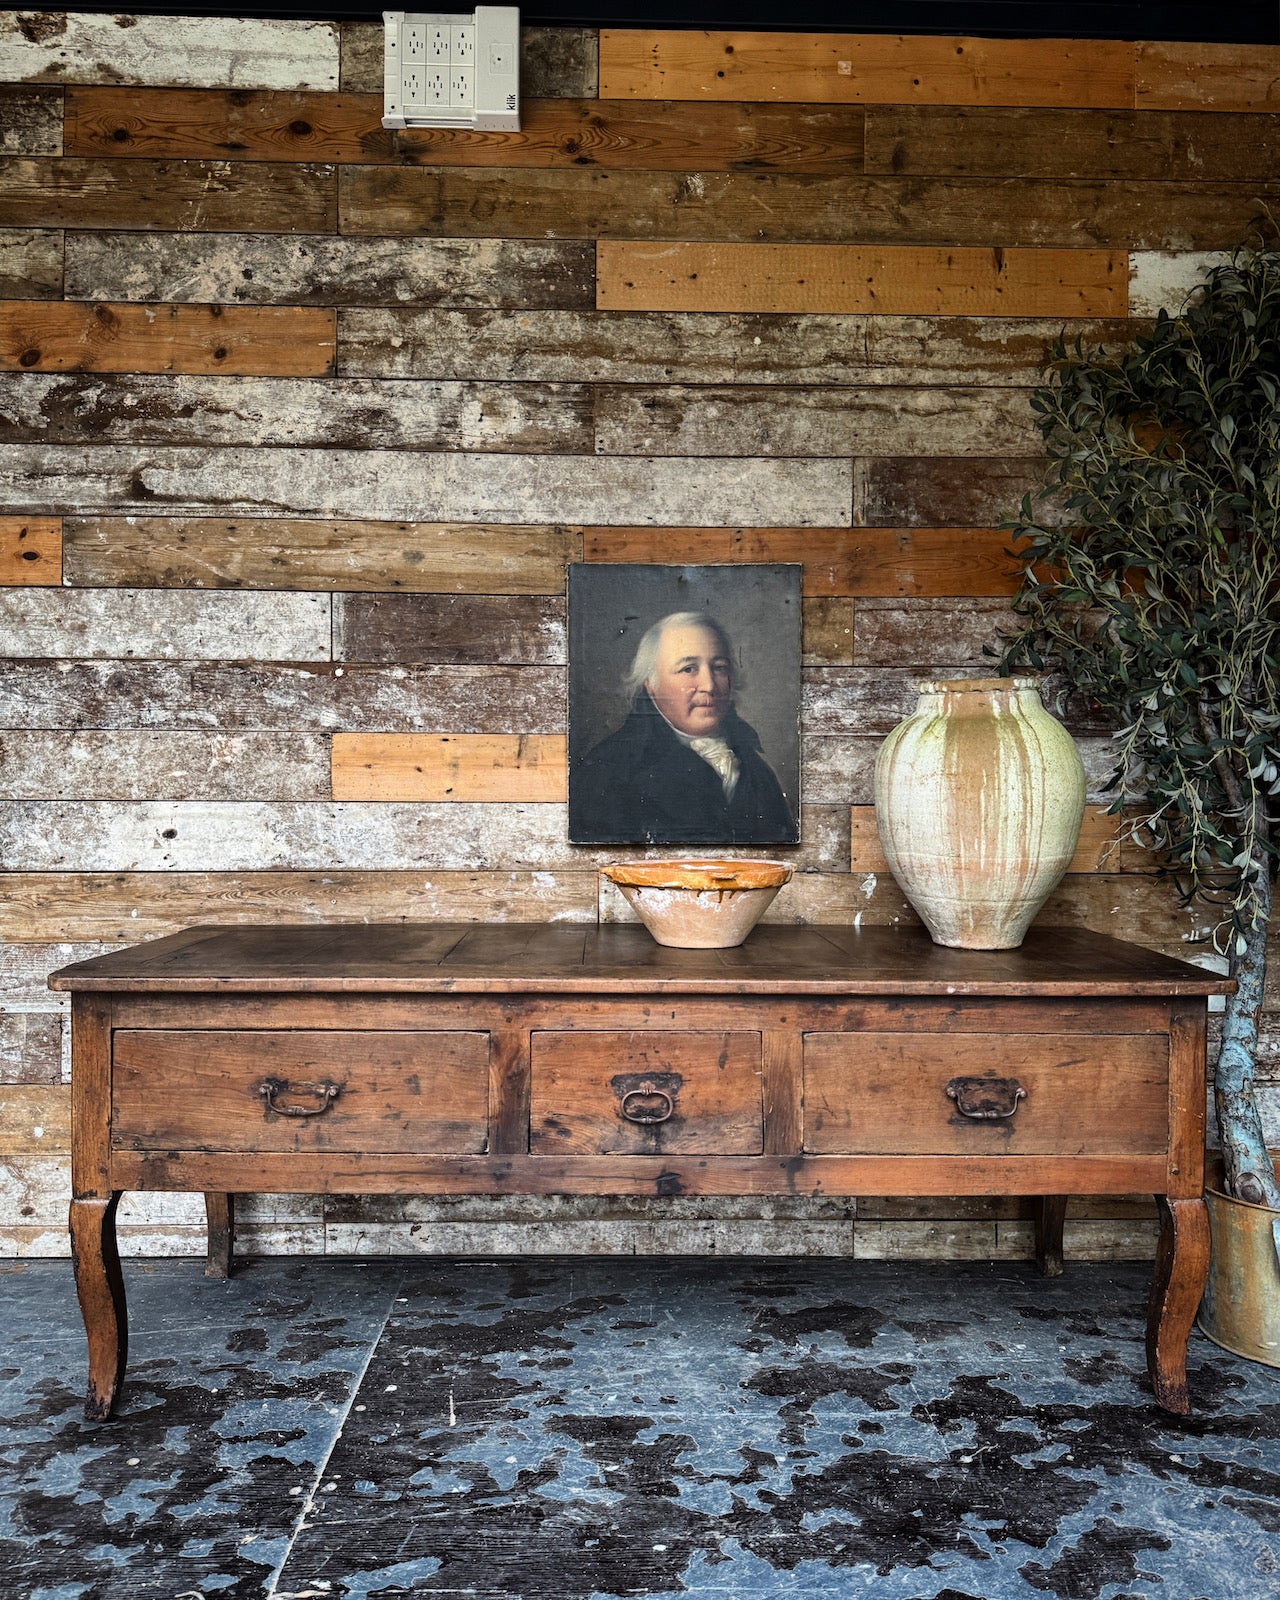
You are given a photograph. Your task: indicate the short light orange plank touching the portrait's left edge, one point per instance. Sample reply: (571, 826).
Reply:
(449, 767)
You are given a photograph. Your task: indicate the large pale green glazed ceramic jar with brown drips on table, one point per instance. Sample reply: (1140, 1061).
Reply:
(980, 796)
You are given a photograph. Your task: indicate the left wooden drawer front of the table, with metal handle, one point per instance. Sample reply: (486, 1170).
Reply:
(380, 1094)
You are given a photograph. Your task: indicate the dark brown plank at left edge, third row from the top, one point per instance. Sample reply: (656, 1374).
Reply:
(191, 196)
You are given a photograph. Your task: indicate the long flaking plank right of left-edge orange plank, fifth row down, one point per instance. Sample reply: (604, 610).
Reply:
(708, 348)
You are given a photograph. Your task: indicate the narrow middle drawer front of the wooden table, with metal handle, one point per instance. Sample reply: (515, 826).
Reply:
(647, 1095)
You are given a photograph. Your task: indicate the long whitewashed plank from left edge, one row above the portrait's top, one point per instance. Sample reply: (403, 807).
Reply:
(404, 486)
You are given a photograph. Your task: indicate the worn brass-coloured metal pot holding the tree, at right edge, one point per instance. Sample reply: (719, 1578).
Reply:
(1241, 1310)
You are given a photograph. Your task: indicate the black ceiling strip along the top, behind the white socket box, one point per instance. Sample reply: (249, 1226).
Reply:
(1246, 22)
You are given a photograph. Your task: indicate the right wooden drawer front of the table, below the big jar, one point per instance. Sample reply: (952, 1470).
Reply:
(986, 1094)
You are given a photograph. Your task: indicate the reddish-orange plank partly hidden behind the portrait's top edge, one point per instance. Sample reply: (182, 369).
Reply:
(860, 562)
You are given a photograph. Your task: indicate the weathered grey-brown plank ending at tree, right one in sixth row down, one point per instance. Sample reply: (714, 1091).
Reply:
(772, 422)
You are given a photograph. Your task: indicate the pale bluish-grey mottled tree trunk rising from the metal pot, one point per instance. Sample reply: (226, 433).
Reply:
(1249, 1167)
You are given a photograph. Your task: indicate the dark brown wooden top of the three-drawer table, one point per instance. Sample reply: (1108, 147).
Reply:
(623, 959)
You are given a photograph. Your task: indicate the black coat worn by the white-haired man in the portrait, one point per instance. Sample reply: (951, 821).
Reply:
(644, 786)
